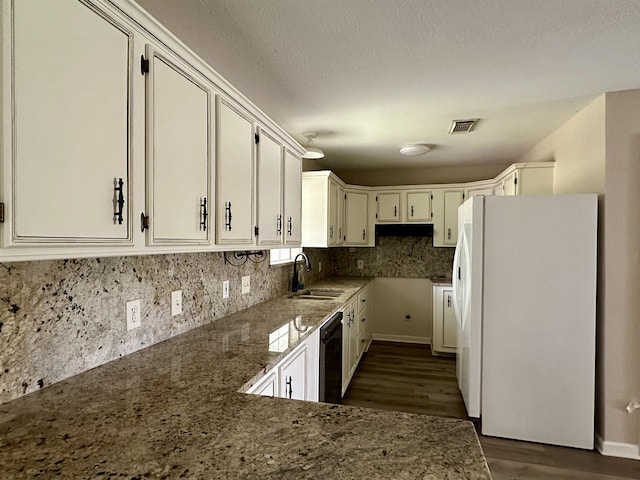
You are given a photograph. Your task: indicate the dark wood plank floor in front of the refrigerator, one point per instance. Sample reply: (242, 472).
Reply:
(407, 378)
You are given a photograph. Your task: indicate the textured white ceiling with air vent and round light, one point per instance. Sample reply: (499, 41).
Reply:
(371, 75)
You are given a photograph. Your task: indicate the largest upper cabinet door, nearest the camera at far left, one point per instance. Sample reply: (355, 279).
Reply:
(71, 98)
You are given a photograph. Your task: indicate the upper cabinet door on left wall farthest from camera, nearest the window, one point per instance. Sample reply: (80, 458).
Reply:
(292, 198)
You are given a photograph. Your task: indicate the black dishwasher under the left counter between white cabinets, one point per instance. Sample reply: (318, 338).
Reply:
(330, 378)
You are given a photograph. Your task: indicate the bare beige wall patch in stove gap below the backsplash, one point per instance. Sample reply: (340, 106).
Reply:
(393, 300)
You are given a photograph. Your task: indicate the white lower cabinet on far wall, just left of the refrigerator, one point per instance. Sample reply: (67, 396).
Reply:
(445, 327)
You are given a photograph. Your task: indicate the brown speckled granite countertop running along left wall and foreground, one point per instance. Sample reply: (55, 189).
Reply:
(173, 410)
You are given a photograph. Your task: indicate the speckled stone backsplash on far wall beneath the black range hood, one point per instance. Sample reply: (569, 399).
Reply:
(408, 257)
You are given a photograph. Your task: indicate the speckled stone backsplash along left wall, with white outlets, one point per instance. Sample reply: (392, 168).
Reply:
(59, 318)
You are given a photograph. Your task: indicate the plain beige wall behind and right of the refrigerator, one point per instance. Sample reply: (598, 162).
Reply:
(598, 151)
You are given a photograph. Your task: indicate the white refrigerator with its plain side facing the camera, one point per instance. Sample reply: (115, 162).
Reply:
(524, 279)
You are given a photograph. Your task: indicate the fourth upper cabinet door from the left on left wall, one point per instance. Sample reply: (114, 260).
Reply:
(269, 187)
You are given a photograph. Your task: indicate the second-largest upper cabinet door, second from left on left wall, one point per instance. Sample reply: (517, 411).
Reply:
(178, 153)
